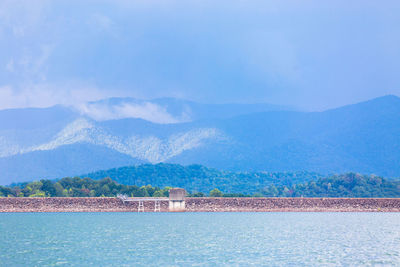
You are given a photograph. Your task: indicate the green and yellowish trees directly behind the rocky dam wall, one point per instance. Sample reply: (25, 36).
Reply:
(345, 185)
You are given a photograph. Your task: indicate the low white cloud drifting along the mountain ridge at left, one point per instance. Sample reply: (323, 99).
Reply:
(79, 96)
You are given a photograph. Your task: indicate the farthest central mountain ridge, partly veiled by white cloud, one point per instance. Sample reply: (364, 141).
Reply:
(168, 110)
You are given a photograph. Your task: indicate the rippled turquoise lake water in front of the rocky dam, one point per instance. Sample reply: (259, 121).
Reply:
(199, 239)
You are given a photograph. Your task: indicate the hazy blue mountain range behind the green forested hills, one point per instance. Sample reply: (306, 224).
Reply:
(62, 141)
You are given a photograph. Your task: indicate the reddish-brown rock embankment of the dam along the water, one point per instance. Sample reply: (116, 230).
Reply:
(201, 204)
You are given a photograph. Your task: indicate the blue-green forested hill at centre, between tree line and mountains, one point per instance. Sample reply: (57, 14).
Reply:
(197, 178)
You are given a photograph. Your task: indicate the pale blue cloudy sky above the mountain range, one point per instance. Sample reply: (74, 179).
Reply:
(313, 55)
